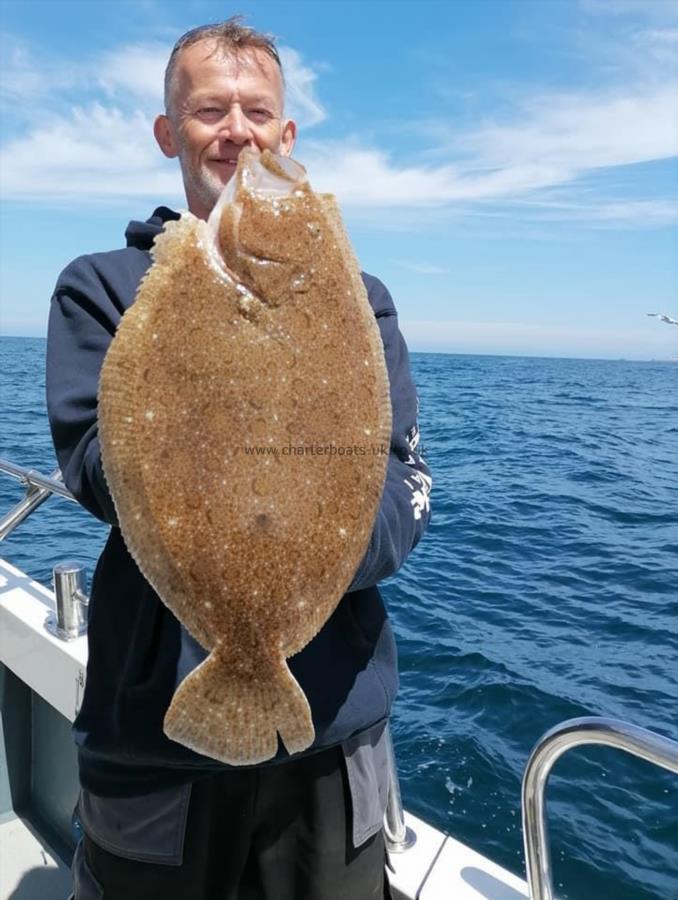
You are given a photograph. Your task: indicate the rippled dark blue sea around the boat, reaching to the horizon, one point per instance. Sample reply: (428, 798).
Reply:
(546, 588)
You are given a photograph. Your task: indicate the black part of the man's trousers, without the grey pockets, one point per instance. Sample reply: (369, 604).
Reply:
(275, 833)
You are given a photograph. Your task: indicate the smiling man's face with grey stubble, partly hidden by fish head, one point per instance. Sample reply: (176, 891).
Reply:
(218, 105)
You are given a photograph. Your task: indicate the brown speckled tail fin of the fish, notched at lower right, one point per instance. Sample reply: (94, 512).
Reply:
(234, 712)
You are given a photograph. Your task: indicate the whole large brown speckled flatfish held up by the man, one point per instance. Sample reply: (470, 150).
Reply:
(268, 343)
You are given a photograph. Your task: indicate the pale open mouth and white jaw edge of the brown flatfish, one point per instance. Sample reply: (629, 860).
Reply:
(266, 175)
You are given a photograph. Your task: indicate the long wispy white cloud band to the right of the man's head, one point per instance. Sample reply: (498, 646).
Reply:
(552, 141)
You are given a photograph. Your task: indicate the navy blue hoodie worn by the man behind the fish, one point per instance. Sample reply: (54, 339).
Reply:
(138, 651)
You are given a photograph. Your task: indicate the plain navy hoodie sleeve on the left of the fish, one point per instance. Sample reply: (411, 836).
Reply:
(83, 317)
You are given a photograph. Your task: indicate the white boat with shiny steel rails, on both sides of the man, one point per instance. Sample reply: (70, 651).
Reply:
(43, 660)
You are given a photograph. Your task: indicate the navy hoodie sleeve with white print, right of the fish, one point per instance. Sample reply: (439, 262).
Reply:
(404, 511)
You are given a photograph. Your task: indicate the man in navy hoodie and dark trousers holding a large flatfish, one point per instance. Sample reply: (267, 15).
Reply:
(161, 821)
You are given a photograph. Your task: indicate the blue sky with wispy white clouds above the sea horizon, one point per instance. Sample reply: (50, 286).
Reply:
(507, 167)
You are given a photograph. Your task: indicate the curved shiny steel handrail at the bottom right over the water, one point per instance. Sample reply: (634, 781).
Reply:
(647, 745)
